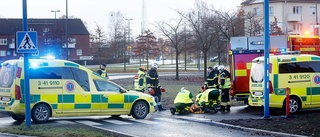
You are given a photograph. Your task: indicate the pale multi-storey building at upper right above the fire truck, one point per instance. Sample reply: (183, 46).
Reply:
(292, 16)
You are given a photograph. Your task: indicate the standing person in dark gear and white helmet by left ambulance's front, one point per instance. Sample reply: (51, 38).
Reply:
(154, 86)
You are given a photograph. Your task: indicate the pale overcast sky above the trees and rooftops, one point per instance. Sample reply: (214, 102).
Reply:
(98, 11)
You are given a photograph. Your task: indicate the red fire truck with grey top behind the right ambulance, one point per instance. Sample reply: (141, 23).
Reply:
(243, 49)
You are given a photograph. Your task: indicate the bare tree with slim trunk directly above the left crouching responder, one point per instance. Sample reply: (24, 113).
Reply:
(174, 31)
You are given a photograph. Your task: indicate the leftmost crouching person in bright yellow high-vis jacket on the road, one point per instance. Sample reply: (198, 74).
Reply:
(182, 102)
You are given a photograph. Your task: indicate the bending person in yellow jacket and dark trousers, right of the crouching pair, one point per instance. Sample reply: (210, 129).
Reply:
(209, 99)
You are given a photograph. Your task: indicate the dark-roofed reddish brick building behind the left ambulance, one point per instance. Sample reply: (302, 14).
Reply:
(51, 38)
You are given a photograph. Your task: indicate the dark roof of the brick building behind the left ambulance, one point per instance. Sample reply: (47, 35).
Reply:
(10, 25)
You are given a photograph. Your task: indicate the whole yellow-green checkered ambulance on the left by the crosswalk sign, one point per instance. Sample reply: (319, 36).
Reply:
(64, 88)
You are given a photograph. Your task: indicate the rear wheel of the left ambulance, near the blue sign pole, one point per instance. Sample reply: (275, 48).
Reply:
(40, 113)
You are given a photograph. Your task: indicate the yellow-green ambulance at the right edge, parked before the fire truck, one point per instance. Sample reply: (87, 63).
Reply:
(299, 72)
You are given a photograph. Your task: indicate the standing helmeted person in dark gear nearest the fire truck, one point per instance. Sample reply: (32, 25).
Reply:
(225, 85)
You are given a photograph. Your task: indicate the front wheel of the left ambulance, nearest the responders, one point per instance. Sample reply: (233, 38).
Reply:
(140, 110)
